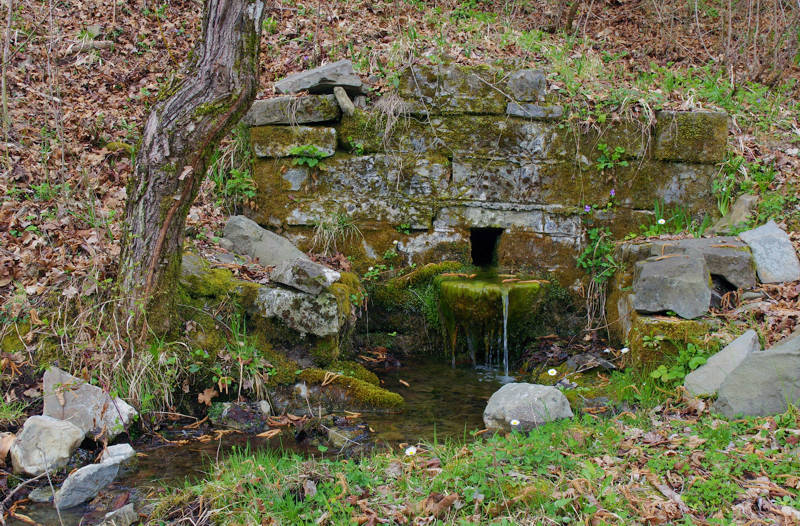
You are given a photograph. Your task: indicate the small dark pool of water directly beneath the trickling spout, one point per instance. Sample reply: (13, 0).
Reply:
(442, 402)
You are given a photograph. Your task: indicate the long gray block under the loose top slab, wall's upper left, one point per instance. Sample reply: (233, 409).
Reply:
(292, 110)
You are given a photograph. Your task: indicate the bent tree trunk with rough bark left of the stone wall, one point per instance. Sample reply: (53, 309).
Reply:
(178, 139)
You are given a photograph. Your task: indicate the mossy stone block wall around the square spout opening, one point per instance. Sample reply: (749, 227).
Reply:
(457, 148)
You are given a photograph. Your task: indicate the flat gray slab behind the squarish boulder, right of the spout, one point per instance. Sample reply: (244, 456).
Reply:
(725, 256)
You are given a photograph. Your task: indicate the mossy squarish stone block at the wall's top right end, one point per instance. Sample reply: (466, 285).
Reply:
(697, 136)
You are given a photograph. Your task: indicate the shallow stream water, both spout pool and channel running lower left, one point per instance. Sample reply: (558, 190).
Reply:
(442, 403)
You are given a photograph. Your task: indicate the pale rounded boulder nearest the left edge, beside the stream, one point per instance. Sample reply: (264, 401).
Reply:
(45, 443)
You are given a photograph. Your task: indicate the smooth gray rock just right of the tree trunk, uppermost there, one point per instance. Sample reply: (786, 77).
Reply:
(249, 239)
